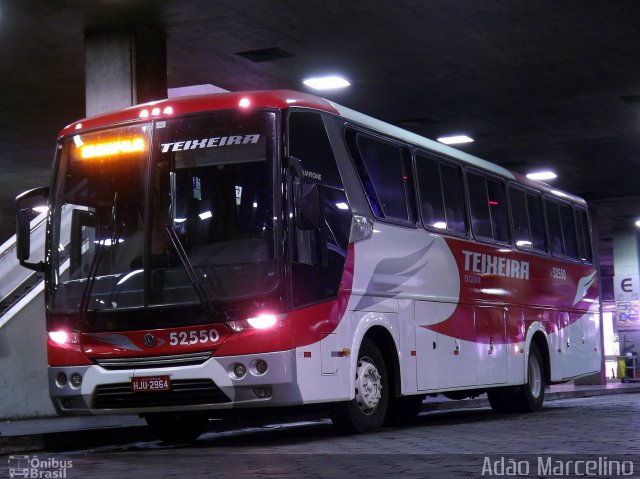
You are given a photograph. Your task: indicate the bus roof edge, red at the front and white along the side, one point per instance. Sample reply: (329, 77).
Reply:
(282, 99)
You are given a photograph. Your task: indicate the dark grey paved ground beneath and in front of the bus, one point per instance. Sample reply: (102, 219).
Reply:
(562, 440)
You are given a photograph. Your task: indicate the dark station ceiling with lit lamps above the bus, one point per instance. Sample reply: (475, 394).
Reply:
(537, 84)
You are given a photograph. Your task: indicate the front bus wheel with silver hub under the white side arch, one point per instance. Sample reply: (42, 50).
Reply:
(366, 412)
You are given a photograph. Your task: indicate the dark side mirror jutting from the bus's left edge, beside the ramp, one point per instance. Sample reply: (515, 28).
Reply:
(25, 204)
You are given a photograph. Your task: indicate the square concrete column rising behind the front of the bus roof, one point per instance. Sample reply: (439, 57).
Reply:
(124, 67)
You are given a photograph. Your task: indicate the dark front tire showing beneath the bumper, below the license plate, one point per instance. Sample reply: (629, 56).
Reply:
(176, 428)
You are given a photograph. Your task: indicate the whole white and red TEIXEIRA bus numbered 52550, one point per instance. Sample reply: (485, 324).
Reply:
(275, 249)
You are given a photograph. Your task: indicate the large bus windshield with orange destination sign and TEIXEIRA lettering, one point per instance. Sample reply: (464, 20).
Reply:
(170, 212)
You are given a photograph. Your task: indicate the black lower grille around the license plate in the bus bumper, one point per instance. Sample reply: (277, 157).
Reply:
(184, 392)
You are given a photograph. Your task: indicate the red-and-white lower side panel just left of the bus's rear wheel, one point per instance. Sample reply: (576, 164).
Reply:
(491, 345)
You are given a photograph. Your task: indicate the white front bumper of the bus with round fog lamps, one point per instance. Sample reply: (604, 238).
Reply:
(211, 385)
